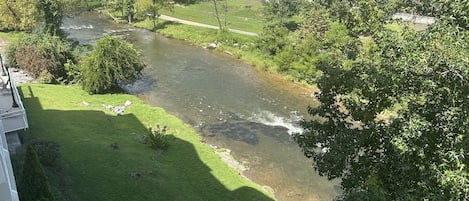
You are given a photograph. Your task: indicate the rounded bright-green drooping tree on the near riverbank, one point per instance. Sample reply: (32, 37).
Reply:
(114, 61)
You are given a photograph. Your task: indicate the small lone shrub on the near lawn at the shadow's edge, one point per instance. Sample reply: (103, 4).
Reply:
(157, 139)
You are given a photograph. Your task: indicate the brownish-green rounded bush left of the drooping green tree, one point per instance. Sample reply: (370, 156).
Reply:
(41, 56)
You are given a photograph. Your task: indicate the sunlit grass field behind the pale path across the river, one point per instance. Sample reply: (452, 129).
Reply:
(243, 15)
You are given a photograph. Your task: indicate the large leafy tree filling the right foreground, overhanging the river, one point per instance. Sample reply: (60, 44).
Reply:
(394, 124)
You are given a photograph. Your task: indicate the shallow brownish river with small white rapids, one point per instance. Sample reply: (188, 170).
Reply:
(230, 103)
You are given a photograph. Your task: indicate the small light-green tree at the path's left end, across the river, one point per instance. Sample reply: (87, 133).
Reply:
(152, 8)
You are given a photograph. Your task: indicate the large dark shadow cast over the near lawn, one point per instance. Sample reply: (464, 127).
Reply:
(97, 170)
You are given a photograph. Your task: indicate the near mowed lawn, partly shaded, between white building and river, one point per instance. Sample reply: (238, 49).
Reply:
(188, 170)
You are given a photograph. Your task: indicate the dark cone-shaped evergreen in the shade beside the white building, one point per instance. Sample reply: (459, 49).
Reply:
(33, 185)
